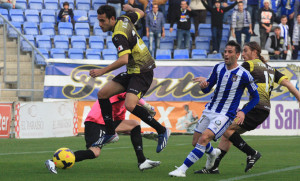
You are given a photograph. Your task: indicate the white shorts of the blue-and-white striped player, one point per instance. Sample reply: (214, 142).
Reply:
(217, 123)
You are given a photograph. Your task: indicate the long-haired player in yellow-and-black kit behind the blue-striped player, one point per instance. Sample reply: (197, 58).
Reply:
(265, 76)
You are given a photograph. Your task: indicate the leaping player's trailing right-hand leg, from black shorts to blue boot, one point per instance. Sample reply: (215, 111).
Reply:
(137, 87)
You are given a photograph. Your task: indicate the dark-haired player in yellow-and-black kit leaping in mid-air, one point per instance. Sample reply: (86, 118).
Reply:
(133, 53)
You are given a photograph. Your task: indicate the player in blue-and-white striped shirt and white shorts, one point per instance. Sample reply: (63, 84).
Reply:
(230, 80)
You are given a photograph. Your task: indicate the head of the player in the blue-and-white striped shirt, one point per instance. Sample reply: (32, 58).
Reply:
(231, 53)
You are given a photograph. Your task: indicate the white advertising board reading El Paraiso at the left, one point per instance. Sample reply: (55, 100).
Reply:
(45, 119)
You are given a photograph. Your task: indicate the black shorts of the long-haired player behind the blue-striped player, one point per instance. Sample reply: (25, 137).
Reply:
(254, 118)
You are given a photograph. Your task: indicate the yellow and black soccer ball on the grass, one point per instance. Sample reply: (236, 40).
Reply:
(64, 158)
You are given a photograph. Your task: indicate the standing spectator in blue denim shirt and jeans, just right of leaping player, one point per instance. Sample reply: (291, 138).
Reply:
(155, 28)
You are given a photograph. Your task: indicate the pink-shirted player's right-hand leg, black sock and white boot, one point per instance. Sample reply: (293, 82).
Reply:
(134, 128)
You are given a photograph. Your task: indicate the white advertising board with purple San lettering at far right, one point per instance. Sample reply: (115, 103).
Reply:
(284, 120)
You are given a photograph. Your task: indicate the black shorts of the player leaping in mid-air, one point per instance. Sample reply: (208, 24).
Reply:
(137, 84)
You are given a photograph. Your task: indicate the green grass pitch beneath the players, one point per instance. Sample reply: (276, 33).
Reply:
(24, 160)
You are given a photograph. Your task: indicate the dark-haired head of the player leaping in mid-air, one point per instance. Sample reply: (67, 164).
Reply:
(106, 17)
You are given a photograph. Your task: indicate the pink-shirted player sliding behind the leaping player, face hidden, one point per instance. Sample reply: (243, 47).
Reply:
(95, 129)
